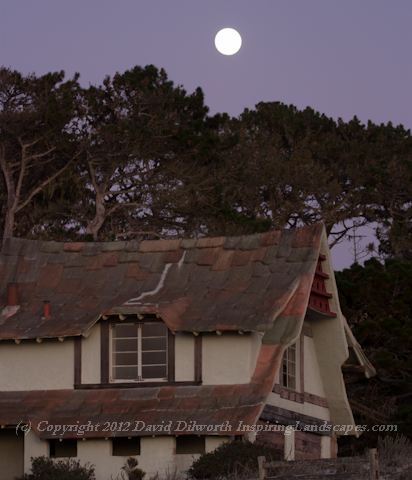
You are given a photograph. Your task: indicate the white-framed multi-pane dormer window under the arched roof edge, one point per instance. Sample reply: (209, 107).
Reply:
(139, 351)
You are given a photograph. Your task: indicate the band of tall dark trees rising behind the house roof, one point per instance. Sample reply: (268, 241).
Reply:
(137, 155)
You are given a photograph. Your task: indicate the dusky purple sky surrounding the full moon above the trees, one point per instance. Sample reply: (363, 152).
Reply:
(341, 57)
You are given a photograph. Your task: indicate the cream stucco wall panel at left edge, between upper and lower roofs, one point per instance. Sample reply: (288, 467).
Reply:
(37, 366)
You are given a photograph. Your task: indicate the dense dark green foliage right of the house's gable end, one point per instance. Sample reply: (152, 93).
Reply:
(377, 301)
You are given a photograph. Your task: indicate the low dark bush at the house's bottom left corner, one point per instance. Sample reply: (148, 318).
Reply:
(43, 468)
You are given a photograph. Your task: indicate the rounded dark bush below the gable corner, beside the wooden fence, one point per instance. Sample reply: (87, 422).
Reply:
(231, 459)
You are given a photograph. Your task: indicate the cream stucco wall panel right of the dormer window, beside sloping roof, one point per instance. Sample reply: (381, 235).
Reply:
(229, 358)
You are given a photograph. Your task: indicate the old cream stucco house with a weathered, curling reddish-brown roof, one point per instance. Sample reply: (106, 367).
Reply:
(164, 349)
